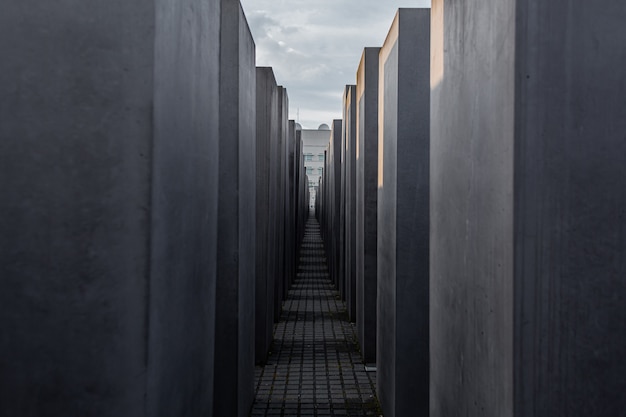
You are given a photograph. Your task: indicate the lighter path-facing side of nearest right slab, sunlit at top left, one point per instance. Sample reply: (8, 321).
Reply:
(471, 191)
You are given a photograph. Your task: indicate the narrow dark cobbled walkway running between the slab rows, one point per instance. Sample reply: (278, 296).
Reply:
(315, 367)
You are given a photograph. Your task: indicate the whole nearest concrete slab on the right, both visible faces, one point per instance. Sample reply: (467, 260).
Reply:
(527, 209)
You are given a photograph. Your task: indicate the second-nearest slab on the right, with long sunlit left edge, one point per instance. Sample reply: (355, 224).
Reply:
(402, 377)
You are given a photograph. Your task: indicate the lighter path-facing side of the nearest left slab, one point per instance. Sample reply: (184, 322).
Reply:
(184, 208)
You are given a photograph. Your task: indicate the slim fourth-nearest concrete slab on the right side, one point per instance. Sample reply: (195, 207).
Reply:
(349, 132)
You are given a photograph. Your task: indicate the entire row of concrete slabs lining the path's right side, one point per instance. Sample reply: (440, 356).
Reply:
(473, 209)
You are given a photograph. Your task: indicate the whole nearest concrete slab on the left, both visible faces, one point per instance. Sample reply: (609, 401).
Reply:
(108, 172)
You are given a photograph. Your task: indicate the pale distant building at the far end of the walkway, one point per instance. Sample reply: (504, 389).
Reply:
(314, 143)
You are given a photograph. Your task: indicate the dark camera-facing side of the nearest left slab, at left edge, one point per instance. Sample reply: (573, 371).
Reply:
(76, 138)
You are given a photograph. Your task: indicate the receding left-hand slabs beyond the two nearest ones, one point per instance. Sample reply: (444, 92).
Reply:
(282, 205)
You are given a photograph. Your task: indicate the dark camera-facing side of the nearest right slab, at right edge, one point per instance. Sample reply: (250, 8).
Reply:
(570, 199)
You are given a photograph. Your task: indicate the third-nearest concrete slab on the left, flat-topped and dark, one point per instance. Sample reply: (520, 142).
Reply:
(266, 132)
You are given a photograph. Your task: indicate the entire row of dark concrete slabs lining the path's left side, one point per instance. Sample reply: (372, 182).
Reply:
(150, 177)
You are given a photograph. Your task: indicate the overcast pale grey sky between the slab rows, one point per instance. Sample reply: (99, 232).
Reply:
(315, 46)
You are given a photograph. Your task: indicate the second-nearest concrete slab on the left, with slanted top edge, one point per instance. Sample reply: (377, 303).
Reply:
(235, 333)
